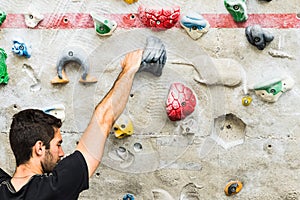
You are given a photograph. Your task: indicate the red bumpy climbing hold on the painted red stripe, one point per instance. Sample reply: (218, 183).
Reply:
(159, 18)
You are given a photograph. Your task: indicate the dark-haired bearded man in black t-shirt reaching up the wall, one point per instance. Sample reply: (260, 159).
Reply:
(36, 140)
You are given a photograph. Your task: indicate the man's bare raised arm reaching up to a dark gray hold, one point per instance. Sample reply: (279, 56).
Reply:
(92, 142)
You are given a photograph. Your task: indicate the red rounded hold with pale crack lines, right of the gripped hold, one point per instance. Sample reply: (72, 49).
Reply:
(181, 102)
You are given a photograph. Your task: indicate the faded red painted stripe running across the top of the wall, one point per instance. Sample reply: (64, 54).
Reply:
(85, 21)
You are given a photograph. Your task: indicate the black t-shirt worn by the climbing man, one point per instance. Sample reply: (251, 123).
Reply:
(68, 179)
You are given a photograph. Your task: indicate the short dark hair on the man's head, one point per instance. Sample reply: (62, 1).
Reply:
(28, 127)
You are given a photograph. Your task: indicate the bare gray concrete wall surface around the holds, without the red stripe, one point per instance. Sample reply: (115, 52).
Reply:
(172, 163)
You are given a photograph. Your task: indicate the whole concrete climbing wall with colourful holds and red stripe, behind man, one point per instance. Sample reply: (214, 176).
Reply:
(235, 63)
